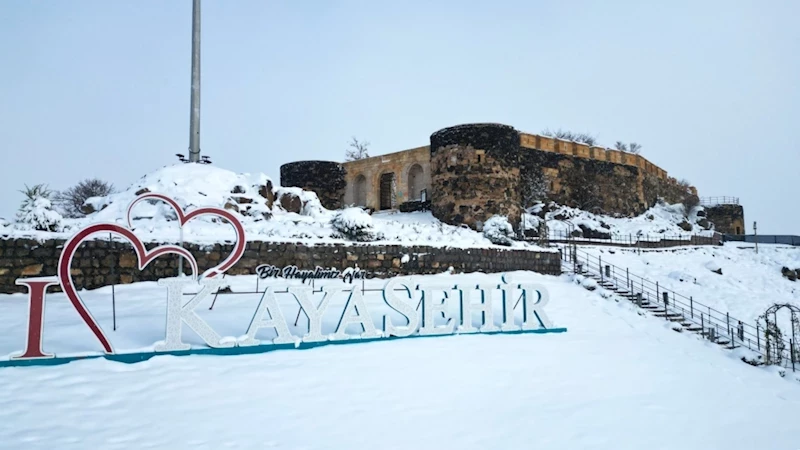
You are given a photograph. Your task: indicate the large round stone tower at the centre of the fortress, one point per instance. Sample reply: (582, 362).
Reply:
(475, 174)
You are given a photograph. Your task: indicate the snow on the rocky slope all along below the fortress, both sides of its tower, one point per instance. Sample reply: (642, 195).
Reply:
(194, 185)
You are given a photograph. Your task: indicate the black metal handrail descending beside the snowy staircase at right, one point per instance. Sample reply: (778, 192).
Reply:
(692, 311)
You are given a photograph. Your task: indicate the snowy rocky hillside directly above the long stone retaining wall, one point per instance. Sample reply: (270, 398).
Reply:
(258, 204)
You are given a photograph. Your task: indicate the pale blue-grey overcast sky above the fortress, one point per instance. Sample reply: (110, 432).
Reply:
(710, 89)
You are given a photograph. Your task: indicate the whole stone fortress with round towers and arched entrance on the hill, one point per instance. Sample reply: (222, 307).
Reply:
(472, 172)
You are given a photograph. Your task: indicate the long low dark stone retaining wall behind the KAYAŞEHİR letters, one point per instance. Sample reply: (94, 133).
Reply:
(102, 263)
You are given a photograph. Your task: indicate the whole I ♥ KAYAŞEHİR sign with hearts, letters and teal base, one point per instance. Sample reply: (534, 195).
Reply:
(401, 317)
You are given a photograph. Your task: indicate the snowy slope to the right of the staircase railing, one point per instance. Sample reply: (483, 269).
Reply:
(749, 284)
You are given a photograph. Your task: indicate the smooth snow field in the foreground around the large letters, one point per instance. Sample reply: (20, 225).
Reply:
(615, 380)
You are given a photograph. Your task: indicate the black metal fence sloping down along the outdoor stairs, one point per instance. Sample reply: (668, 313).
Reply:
(712, 323)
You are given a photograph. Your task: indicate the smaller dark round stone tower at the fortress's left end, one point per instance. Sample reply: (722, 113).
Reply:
(325, 178)
